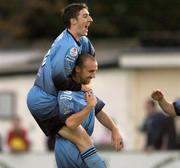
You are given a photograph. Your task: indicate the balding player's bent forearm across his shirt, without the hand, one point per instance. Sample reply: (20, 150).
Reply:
(77, 118)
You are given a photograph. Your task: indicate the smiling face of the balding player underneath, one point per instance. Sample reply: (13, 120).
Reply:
(87, 72)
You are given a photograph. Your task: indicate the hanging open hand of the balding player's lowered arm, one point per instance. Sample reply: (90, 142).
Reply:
(116, 139)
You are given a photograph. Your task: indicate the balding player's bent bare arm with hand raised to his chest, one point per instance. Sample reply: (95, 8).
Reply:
(74, 120)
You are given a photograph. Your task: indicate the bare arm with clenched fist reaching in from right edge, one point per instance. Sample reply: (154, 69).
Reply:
(167, 107)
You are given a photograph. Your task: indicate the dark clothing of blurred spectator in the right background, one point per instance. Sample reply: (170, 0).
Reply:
(159, 128)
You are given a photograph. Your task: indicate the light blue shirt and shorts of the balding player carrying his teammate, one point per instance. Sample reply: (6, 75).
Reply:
(67, 154)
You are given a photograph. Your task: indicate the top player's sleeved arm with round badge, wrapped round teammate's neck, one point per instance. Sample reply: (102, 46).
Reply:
(63, 64)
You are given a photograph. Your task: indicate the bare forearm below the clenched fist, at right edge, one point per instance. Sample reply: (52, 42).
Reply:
(167, 107)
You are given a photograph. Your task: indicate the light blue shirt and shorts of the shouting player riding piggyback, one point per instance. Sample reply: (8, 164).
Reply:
(56, 67)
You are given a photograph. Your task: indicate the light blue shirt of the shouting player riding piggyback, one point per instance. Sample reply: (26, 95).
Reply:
(60, 60)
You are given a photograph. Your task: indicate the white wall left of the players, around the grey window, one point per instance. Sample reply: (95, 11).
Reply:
(20, 86)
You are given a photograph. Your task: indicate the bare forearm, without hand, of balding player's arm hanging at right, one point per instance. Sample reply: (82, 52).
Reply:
(106, 120)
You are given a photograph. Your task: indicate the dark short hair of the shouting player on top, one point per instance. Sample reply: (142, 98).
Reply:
(72, 11)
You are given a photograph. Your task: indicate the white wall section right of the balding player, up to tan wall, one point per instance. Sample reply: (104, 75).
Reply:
(112, 86)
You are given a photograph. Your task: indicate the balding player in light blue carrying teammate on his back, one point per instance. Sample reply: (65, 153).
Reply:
(76, 111)
